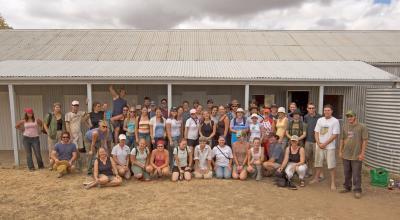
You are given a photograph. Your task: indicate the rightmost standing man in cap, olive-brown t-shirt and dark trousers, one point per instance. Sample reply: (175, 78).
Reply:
(353, 143)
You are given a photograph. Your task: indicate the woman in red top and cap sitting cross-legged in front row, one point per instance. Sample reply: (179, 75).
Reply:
(159, 161)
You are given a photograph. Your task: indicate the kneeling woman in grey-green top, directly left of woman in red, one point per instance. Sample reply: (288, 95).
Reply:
(140, 158)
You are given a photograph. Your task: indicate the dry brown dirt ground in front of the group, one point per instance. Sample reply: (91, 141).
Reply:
(40, 195)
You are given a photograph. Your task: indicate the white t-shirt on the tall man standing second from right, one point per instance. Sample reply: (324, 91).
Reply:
(327, 128)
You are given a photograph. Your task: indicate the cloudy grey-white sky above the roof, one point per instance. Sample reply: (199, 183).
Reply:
(165, 14)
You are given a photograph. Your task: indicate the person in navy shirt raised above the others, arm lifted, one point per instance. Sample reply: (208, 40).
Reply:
(117, 113)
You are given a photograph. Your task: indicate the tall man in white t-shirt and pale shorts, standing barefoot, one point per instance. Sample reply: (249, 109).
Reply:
(326, 132)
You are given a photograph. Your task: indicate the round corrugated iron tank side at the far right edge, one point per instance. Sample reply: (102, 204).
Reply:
(382, 112)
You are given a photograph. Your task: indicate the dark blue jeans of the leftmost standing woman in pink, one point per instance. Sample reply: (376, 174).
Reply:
(29, 143)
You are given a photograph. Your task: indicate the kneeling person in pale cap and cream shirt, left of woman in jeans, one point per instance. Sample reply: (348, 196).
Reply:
(202, 160)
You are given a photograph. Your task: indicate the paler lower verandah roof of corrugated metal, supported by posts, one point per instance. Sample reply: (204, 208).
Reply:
(348, 71)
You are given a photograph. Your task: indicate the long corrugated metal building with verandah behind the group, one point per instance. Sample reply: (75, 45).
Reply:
(40, 67)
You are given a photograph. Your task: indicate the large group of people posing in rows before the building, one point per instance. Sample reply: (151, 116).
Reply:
(151, 141)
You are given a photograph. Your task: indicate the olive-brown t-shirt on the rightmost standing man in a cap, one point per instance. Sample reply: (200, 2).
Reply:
(353, 136)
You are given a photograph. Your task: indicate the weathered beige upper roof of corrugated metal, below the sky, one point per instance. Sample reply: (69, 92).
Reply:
(186, 45)
